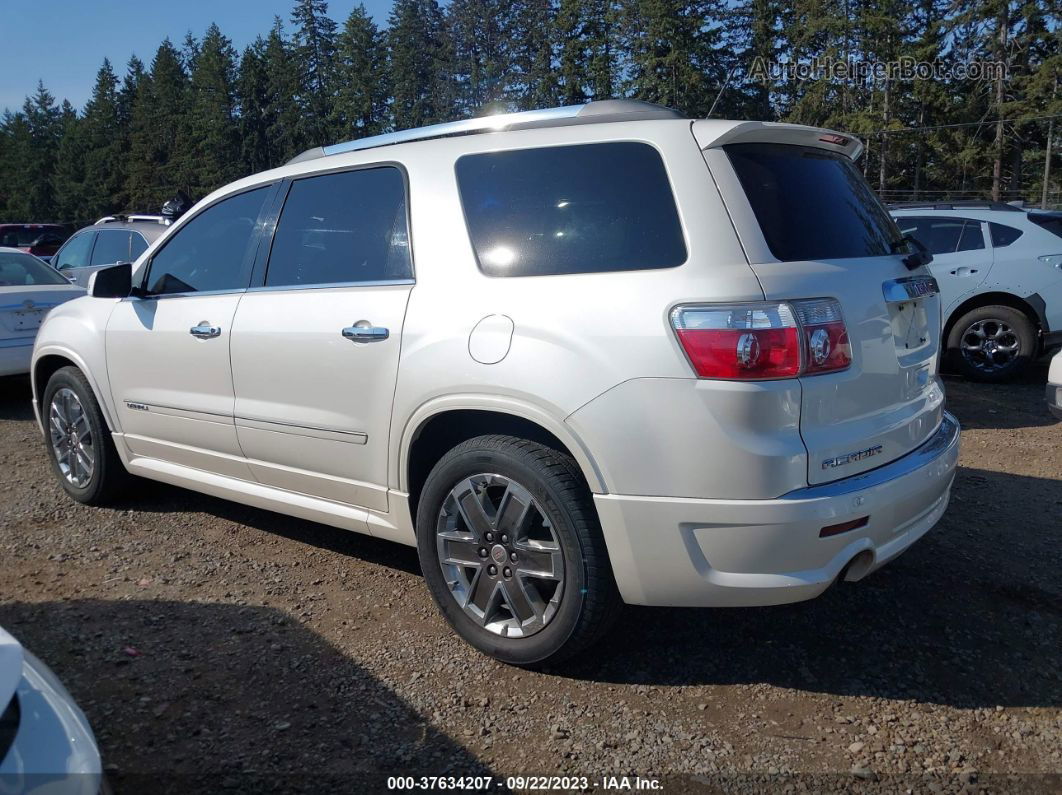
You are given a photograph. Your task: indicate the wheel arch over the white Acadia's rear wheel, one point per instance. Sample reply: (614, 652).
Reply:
(434, 430)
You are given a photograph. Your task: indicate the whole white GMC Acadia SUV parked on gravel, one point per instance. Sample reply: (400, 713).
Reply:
(577, 357)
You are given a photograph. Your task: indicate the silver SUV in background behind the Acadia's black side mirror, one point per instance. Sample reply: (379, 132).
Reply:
(110, 240)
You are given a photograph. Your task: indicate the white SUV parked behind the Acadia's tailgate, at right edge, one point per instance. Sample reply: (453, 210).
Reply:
(1000, 271)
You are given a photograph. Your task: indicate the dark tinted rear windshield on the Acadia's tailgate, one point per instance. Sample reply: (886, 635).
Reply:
(813, 204)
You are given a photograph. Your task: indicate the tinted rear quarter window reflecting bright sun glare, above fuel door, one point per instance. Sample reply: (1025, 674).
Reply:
(587, 209)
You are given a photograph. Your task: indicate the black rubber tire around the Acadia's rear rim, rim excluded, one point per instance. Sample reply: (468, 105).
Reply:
(552, 644)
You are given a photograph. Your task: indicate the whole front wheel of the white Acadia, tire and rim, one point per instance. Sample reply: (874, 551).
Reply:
(79, 444)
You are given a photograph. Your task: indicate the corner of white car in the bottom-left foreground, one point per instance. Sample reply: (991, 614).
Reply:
(47, 747)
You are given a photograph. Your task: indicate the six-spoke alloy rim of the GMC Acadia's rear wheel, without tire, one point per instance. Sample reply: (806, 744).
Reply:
(500, 557)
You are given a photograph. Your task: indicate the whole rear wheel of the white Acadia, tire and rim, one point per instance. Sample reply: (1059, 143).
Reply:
(512, 551)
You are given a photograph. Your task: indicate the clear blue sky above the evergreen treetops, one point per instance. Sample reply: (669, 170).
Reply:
(64, 42)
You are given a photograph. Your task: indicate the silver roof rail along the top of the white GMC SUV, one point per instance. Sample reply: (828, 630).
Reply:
(601, 111)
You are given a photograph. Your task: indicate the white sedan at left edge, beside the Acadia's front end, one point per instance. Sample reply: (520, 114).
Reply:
(29, 289)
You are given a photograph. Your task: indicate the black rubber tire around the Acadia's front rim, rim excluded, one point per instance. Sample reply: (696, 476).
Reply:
(108, 473)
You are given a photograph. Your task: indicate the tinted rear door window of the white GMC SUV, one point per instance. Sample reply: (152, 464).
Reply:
(342, 229)
